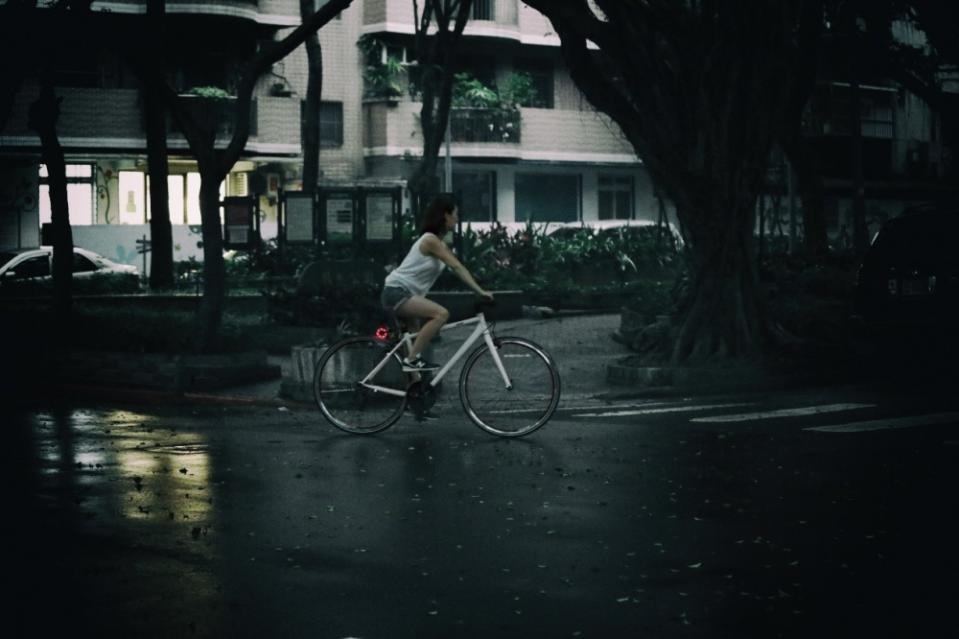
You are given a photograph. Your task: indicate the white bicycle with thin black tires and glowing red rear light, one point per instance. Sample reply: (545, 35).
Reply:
(509, 386)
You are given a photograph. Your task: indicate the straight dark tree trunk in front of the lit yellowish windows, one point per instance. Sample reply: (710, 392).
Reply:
(161, 230)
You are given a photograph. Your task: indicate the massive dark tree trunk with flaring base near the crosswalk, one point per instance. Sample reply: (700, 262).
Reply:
(700, 89)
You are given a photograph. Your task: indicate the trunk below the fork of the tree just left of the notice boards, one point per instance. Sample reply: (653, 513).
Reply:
(214, 270)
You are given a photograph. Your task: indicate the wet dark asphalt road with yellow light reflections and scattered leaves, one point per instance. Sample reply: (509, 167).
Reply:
(182, 521)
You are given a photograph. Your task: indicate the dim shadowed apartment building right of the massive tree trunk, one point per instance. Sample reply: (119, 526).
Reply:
(906, 155)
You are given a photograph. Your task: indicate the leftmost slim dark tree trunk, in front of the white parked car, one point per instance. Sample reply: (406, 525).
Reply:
(43, 116)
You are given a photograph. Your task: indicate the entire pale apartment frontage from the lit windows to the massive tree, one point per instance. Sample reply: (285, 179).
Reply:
(561, 161)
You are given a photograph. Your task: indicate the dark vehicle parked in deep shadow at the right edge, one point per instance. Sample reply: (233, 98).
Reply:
(909, 277)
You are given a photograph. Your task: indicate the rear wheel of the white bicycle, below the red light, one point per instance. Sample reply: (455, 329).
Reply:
(346, 403)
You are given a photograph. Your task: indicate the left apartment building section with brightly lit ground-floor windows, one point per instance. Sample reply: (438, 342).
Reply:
(103, 136)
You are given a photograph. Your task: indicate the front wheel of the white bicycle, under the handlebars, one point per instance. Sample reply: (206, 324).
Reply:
(526, 404)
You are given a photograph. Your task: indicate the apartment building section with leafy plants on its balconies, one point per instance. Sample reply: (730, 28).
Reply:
(556, 159)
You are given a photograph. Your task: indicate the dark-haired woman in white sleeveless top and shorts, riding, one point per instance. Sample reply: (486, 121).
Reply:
(405, 288)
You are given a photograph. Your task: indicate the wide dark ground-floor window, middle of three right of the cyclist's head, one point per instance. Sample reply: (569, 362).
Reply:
(547, 198)
